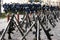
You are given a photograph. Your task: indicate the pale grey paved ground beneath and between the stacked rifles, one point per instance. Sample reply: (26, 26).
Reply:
(30, 36)
